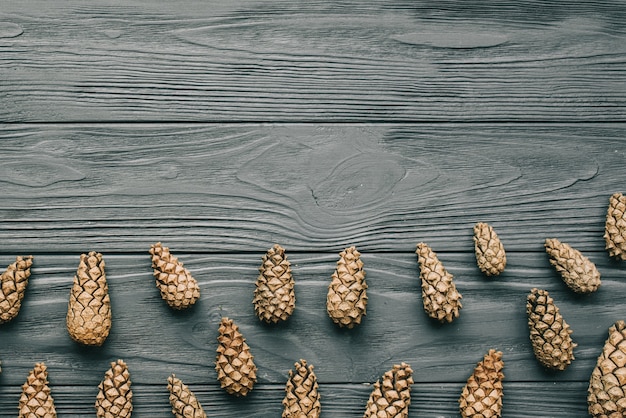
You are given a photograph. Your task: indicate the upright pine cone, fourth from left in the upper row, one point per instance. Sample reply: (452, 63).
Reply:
(274, 296)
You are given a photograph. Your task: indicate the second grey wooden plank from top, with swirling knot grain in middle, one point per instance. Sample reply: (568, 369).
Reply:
(313, 188)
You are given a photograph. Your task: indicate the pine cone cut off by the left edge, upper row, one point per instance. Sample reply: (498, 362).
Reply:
(13, 284)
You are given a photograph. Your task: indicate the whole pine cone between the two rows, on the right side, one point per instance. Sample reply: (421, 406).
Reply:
(549, 333)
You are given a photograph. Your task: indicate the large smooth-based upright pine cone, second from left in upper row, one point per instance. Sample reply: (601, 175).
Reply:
(89, 309)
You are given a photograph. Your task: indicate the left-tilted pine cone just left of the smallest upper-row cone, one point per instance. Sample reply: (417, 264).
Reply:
(441, 299)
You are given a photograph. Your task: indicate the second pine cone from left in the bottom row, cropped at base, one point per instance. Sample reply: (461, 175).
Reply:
(115, 398)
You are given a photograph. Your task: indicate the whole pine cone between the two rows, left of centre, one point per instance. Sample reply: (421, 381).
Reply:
(235, 366)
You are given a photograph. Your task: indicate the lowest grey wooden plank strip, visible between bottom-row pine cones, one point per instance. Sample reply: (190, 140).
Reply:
(433, 400)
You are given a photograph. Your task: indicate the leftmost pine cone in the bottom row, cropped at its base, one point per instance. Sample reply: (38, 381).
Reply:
(36, 400)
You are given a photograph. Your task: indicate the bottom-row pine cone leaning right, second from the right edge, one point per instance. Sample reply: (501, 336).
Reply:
(482, 394)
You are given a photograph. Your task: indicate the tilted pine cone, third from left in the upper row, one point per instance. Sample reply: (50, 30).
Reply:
(178, 288)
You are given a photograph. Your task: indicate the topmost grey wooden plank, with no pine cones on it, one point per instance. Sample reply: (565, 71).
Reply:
(312, 61)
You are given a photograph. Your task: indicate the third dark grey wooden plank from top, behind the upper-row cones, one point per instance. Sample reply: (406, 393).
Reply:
(156, 341)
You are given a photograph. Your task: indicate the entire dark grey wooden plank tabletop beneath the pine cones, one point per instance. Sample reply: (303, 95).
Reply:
(221, 128)
